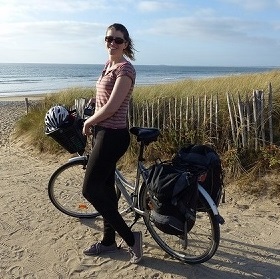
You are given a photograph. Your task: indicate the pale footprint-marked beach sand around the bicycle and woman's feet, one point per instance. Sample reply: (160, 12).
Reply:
(38, 241)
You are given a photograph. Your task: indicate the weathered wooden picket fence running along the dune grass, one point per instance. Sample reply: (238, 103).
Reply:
(238, 124)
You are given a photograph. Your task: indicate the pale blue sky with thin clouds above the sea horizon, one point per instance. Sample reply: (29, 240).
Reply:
(167, 32)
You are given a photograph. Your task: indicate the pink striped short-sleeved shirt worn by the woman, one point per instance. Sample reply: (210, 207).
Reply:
(104, 87)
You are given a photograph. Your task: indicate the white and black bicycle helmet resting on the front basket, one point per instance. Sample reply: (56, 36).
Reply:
(55, 117)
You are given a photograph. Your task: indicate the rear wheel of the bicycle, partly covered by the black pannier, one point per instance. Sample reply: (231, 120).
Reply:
(203, 239)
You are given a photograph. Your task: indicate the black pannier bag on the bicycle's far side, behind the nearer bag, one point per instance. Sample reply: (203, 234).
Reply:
(198, 157)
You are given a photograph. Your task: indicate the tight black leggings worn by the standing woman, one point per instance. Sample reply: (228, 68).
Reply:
(99, 183)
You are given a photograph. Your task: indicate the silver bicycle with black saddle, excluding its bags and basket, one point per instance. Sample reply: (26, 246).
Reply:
(65, 192)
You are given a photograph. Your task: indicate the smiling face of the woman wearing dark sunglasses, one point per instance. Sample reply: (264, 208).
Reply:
(115, 42)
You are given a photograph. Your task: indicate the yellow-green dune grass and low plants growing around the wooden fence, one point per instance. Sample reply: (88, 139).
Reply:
(247, 167)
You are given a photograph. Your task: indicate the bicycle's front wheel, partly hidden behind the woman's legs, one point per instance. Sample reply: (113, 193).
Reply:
(65, 190)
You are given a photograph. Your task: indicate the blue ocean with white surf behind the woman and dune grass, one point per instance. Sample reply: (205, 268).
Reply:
(21, 79)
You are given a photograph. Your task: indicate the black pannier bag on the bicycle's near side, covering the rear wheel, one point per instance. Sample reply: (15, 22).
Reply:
(173, 199)
